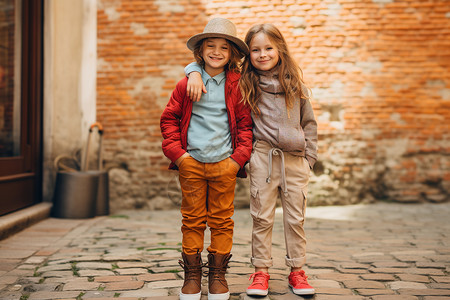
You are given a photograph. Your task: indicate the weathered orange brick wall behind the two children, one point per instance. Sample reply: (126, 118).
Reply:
(379, 71)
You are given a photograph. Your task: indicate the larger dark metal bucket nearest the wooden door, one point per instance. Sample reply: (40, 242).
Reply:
(75, 195)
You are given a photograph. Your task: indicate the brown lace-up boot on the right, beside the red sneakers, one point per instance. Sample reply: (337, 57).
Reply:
(217, 285)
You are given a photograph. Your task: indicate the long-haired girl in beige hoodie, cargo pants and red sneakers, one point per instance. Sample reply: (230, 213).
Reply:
(284, 152)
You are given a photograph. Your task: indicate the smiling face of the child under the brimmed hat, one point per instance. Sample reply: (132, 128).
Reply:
(216, 54)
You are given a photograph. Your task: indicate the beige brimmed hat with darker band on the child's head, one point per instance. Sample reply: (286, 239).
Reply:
(218, 28)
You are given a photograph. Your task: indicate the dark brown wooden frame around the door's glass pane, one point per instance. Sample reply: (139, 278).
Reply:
(21, 176)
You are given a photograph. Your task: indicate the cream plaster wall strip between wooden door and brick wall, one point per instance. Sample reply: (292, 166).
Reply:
(70, 55)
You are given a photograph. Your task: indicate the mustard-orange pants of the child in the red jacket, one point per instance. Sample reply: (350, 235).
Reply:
(207, 200)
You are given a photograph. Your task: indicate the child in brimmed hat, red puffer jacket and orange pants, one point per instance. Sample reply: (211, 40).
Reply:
(209, 141)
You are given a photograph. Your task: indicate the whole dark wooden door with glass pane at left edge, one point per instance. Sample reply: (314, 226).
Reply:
(21, 24)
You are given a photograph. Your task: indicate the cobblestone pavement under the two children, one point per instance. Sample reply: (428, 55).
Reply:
(379, 252)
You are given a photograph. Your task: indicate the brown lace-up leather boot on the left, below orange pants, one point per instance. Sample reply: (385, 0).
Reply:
(192, 287)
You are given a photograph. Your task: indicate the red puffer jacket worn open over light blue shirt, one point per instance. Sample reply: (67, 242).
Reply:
(177, 115)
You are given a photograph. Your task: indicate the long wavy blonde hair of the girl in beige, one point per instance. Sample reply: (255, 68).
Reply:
(290, 75)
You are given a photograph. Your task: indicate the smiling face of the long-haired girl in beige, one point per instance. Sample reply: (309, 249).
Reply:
(264, 55)
